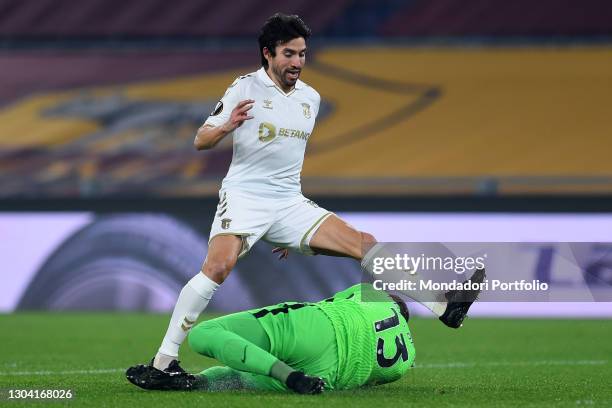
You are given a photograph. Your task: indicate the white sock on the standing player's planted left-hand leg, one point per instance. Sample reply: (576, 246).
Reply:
(192, 300)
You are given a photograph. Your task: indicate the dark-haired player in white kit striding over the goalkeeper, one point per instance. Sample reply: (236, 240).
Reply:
(270, 115)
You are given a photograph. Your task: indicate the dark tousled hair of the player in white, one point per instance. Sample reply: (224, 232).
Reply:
(280, 29)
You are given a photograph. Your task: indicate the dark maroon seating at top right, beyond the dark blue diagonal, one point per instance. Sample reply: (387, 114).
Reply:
(501, 18)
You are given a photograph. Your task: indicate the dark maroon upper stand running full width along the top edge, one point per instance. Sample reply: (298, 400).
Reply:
(117, 19)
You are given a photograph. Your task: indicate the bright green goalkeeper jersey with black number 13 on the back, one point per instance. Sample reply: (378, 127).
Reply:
(374, 341)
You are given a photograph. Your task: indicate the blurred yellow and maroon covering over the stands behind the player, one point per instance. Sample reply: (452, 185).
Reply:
(395, 114)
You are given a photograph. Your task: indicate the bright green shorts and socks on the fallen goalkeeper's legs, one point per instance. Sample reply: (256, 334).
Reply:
(304, 339)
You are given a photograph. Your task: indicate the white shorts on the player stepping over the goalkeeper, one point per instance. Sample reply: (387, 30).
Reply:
(283, 222)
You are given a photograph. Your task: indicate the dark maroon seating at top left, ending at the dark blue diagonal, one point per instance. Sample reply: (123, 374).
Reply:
(133, 18)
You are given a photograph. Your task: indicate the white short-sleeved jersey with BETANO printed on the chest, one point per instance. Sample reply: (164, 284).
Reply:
(268, 149)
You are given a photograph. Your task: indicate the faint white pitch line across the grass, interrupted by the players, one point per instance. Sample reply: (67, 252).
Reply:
(429, 365)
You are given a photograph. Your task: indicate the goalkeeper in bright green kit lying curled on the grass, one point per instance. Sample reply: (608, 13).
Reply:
(356, 338)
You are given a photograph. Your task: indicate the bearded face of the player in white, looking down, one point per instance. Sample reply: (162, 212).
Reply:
(288, 62)
